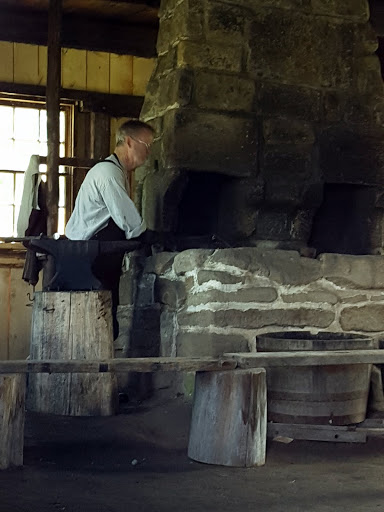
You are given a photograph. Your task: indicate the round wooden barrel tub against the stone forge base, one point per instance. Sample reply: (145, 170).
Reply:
(318, 395)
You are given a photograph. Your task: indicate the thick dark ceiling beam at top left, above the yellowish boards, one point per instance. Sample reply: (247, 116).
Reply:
(81, 32)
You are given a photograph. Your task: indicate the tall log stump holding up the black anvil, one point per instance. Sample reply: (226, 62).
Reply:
(72, 325)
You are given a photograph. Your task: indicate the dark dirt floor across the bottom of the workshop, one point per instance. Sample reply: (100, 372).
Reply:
(137, 461)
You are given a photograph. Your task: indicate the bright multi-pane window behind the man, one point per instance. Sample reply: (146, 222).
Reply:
(23, 132)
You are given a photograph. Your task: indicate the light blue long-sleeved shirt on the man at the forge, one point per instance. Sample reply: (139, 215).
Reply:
(104, 194)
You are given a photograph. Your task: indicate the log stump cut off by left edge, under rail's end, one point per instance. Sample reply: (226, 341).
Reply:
(12, 413)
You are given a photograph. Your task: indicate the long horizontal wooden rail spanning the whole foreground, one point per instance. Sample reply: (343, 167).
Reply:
(229, 361)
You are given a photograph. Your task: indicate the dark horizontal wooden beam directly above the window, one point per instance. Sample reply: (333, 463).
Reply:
(115, 105)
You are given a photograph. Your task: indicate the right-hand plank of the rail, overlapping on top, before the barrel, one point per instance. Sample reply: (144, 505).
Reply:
(306, 358)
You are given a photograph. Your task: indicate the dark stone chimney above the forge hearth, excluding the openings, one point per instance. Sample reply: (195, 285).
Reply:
(282, 94)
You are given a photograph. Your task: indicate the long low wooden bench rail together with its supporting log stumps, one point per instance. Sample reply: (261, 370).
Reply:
(242, 373)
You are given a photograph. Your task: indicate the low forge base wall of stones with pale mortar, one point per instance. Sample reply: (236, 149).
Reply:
(206, 302)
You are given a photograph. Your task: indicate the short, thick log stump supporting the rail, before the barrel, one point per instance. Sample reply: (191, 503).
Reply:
(229, 418)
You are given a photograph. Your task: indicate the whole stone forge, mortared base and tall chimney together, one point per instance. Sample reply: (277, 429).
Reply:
(269, 119)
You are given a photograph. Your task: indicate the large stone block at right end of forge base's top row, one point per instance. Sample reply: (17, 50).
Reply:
(359, 272)
